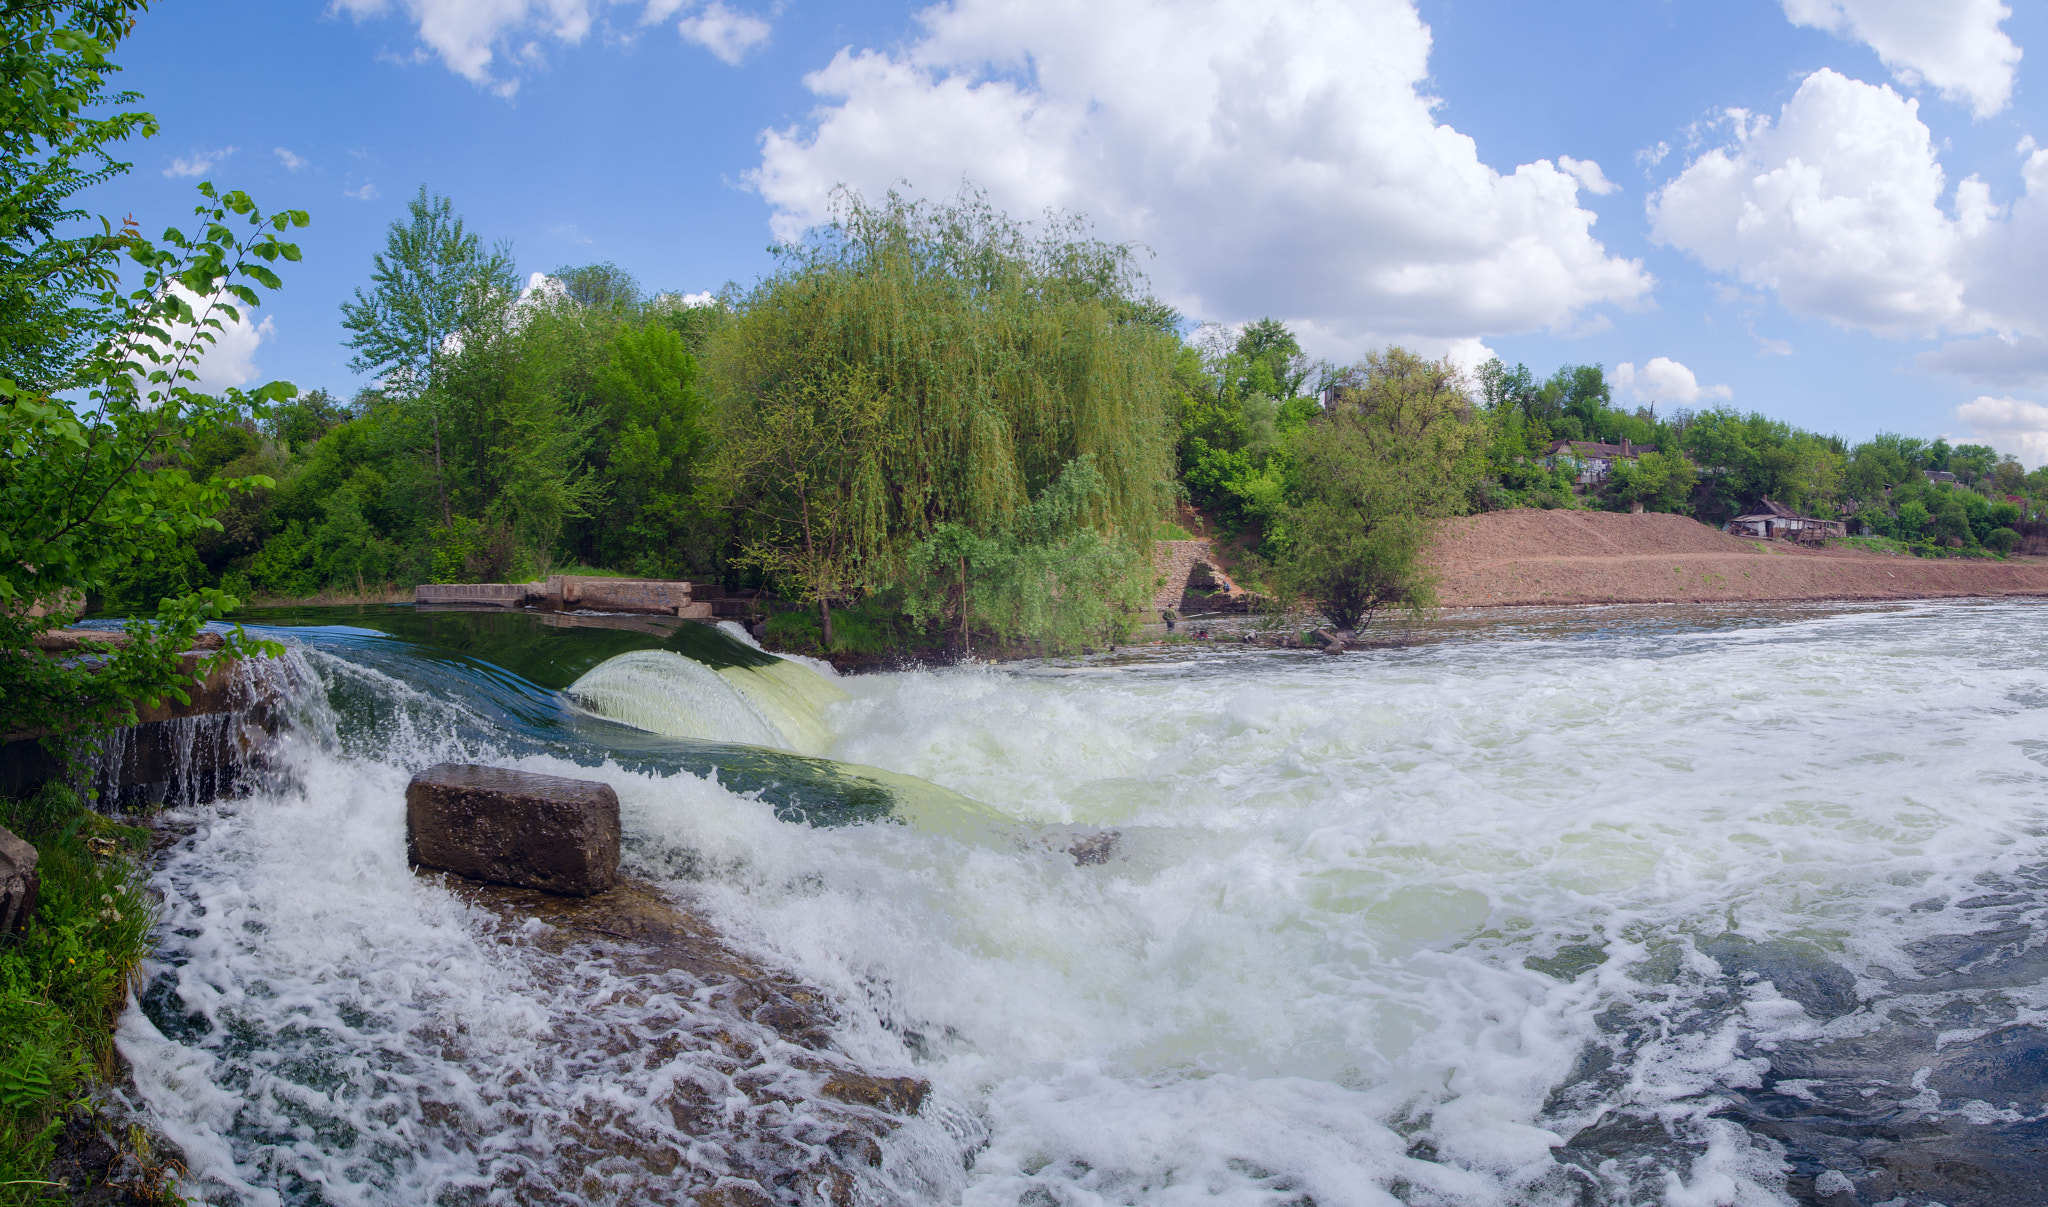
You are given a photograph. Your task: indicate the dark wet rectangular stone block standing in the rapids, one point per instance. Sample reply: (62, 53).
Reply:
(515, 829)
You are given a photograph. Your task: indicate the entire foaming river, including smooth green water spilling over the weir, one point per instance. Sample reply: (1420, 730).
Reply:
(1605, 907)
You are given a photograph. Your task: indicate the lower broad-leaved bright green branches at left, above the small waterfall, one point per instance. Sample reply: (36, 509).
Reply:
(87, 493)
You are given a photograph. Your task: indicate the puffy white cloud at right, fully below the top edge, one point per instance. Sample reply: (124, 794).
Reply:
(1838, 208)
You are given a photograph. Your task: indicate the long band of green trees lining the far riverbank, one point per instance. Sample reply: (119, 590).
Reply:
(957, 427)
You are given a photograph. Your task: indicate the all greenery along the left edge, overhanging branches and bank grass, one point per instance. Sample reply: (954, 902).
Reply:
(101, 431)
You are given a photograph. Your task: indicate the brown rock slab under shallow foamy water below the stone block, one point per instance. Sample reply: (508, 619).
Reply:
(720, 1077)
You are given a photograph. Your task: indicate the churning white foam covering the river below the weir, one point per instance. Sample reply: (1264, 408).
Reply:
(1306, 976)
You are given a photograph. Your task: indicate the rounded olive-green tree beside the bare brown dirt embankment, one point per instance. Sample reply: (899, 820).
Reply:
(1371, 483)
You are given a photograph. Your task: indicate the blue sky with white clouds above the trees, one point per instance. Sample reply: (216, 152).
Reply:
(1828, 210)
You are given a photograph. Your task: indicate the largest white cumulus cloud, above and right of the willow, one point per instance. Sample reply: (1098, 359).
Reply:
(1279, 159)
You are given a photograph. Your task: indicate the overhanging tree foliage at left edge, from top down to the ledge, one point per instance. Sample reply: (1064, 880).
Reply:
(91, 485)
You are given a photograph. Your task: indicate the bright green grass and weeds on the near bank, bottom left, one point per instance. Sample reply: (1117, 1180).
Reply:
(67, 981)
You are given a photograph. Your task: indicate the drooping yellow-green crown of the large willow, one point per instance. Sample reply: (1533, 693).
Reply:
(996, 358)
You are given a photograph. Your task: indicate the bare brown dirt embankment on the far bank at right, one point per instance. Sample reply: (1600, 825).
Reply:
(1584, 558)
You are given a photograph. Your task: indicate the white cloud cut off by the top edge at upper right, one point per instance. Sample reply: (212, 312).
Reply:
(1953, 46)
